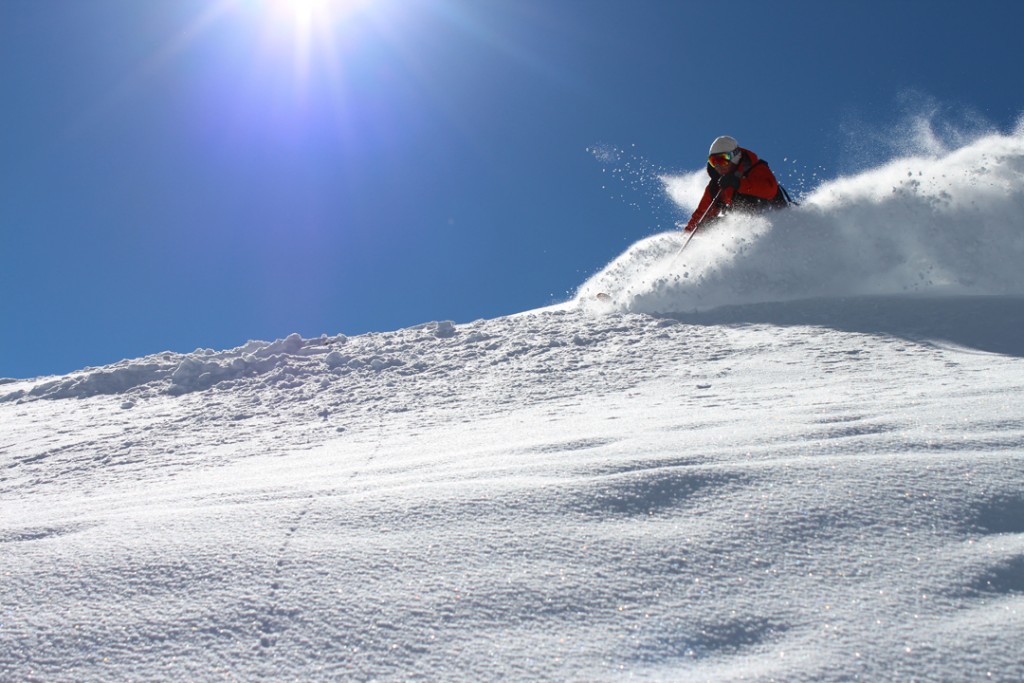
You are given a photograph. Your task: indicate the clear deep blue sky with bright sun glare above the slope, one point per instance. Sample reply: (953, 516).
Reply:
(179, 175)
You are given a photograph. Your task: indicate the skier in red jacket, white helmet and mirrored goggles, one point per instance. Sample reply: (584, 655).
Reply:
(739, 182)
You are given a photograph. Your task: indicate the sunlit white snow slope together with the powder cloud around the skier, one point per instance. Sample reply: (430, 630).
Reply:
(809, 466)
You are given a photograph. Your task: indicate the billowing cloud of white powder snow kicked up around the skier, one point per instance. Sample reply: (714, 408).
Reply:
(949, 224)
